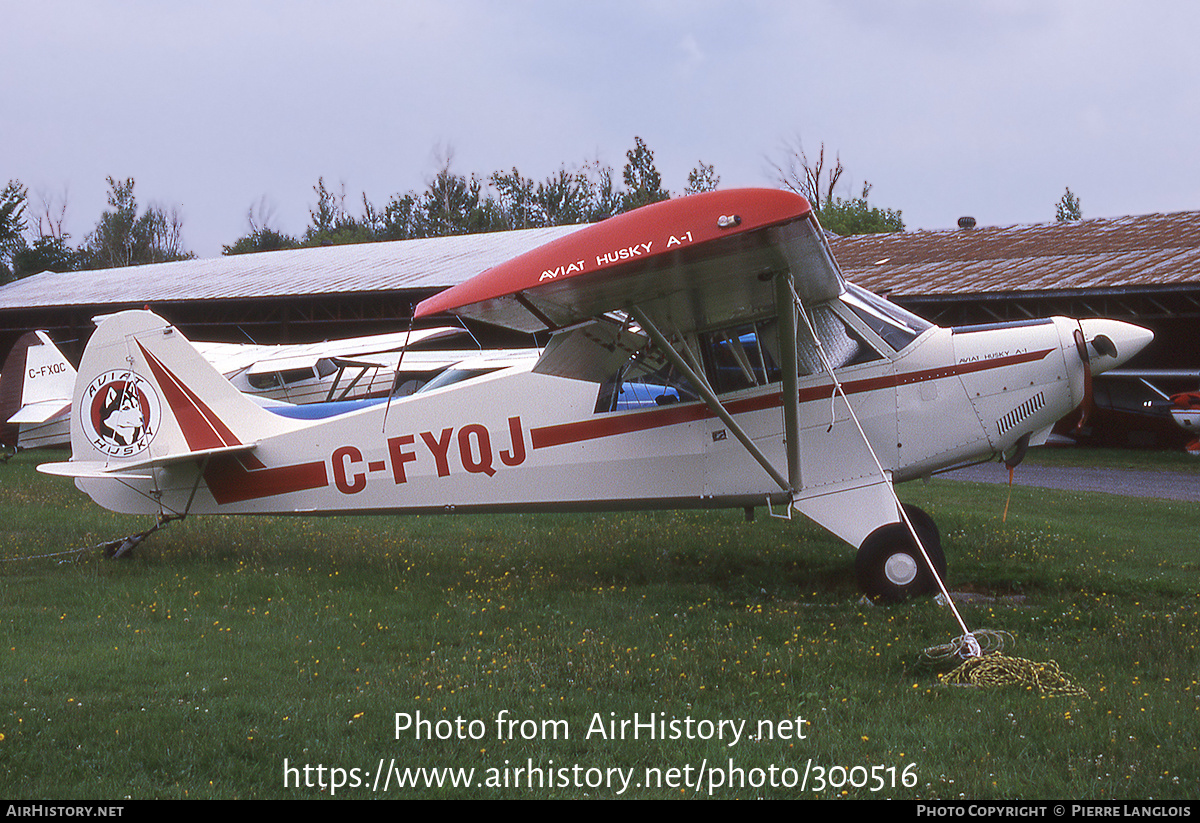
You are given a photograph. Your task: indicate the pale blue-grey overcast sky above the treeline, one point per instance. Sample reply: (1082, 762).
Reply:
(985, 109)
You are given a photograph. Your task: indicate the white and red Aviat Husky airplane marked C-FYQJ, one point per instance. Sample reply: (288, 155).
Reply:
(705, 352)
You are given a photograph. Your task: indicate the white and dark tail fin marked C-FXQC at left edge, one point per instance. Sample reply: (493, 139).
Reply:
(35, 394)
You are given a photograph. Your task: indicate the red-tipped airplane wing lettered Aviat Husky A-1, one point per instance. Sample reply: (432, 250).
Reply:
(694, 263)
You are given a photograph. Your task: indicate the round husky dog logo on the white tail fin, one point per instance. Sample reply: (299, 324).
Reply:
(121, 413)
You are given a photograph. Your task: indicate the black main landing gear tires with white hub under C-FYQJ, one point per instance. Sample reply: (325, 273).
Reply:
(890, 566)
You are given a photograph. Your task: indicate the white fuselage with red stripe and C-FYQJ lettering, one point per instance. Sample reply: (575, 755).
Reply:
(519, 441)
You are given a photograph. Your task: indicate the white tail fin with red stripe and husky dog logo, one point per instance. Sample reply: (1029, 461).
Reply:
(145, 394)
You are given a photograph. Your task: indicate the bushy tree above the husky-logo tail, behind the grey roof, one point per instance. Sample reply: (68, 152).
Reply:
(124, 238)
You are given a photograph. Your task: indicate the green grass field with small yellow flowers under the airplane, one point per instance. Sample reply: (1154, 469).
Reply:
(303, 658)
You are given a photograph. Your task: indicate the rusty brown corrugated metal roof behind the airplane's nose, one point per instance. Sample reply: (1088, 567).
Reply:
(1112, 254)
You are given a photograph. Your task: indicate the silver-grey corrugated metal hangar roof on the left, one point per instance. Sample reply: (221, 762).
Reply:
(379, 267)
